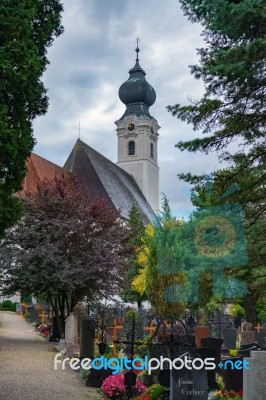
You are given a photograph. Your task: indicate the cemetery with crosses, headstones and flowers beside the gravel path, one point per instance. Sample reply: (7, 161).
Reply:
(112, 333)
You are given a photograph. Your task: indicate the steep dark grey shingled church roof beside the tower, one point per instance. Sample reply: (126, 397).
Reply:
(100, 176)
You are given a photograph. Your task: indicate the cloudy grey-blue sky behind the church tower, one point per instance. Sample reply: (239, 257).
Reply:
(91, 60)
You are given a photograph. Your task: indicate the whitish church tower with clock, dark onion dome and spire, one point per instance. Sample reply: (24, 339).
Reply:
(137, 133)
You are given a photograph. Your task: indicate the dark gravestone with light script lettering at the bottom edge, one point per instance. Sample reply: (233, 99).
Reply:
(188, 384)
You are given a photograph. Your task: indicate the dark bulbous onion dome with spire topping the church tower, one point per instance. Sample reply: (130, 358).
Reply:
(136, 93)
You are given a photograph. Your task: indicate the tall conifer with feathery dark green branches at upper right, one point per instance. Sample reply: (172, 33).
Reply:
(232, 67)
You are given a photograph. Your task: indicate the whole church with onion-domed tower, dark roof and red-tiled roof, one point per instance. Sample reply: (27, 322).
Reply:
(134, 179)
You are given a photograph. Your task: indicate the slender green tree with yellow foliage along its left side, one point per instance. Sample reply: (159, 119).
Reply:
(161, 275)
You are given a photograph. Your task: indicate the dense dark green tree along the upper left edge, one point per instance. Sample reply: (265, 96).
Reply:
(27, 29)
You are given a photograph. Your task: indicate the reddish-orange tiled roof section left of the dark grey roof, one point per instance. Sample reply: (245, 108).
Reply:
(38, 169)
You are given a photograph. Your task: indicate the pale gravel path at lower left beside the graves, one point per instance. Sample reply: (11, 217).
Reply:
(26, 366)
